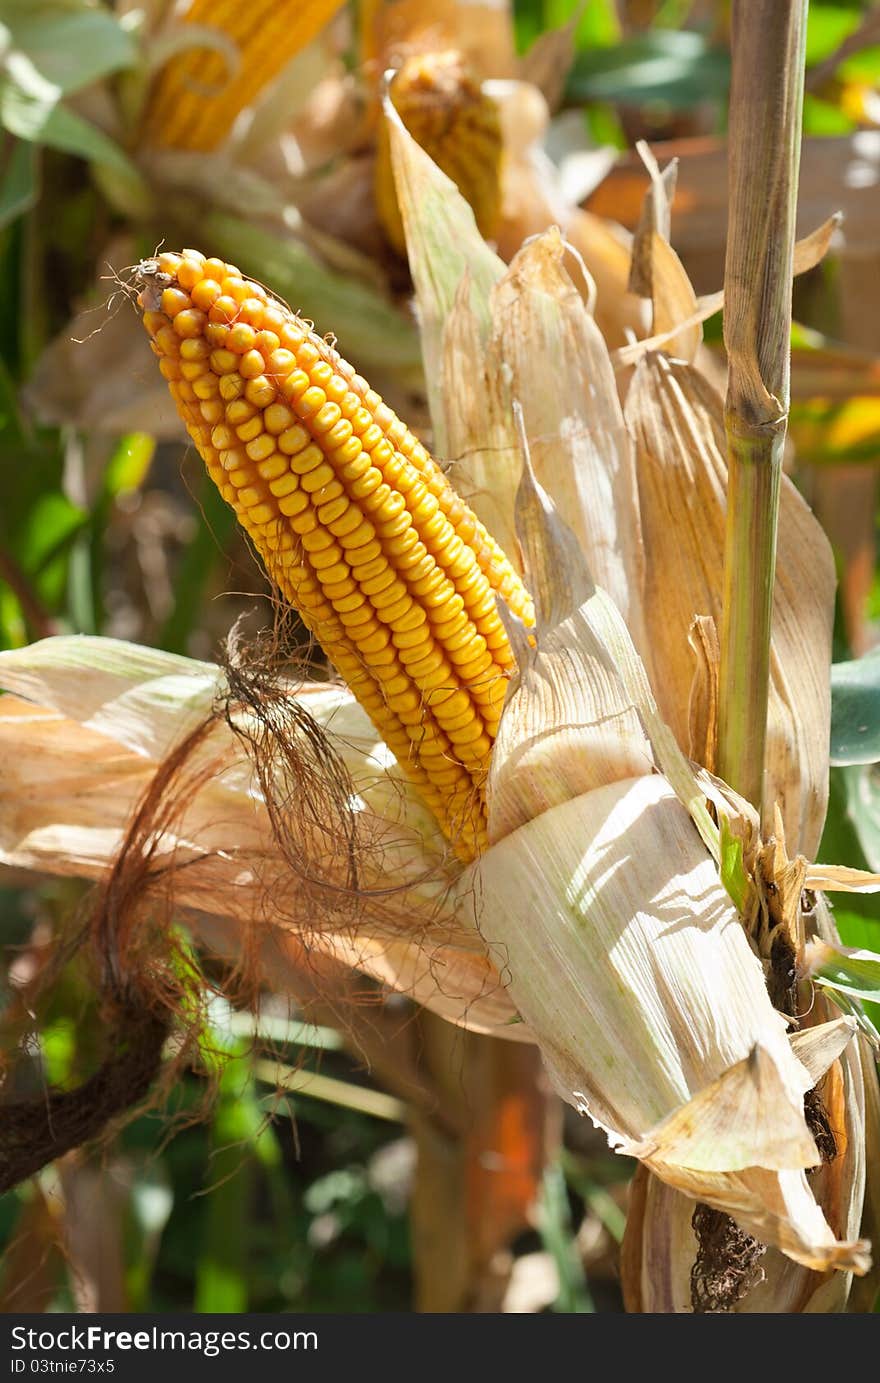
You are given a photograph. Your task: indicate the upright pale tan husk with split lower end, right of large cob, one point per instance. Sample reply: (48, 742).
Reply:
(540, 331)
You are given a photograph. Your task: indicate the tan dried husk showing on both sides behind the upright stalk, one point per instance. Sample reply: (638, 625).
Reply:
(679, 424)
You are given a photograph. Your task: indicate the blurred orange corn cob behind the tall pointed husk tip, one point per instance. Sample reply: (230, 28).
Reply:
(457, 124)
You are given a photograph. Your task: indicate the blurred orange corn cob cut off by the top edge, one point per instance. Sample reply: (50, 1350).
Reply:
(196, 99)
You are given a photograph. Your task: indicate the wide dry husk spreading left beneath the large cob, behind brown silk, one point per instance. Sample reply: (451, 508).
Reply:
(80, 756)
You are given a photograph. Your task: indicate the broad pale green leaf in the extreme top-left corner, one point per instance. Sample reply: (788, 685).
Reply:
(71, 45)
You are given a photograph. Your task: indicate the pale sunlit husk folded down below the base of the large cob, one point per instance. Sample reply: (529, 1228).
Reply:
(630, 965)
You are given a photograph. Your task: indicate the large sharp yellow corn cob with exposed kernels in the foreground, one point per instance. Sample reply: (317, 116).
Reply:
(356, 525)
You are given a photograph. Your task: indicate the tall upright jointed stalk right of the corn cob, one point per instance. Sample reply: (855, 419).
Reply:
(767, 98)
